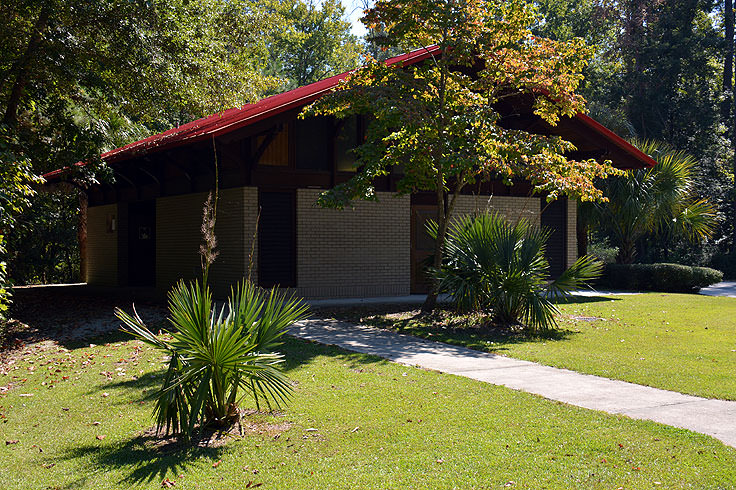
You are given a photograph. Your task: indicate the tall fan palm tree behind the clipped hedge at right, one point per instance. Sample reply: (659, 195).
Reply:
(658, 200)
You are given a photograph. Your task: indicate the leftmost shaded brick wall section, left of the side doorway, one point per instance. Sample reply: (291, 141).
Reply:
(102, 246)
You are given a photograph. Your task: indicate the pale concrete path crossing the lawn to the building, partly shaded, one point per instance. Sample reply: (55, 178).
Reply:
(716, 418)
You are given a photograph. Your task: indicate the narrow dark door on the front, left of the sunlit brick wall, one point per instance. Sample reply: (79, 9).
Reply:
(277, 239)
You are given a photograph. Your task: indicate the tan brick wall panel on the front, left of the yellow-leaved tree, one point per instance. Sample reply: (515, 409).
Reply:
(358, 252)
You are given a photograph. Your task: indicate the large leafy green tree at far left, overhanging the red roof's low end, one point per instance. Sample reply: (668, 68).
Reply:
(79, 78)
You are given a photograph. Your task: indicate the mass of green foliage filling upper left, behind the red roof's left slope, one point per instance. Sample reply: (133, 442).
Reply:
(80, 78)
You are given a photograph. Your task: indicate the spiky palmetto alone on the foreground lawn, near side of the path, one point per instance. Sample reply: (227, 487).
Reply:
(217, 356)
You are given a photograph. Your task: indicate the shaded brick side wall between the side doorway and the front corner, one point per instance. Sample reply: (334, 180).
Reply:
(178, 237)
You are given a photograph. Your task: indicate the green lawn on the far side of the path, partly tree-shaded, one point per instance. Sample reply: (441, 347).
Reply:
(679, 342)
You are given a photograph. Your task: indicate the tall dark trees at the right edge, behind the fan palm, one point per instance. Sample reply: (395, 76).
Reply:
(663, 71)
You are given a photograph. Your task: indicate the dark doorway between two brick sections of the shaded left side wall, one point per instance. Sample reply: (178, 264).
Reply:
(142, 244)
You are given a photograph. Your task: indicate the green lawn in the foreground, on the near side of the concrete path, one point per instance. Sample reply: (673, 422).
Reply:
(81, 418)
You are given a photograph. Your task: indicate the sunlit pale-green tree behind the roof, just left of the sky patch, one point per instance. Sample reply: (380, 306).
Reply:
(314, 43)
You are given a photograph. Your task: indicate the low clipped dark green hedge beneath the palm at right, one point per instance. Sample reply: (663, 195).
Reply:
(667, 278)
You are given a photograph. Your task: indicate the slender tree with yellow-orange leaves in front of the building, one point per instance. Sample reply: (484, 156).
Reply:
(437, 119)
